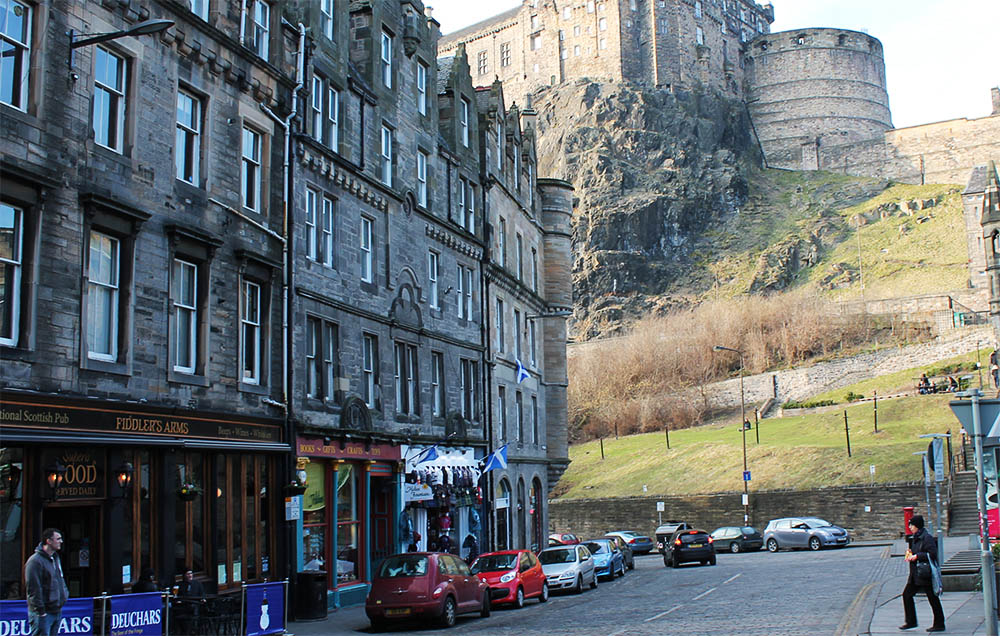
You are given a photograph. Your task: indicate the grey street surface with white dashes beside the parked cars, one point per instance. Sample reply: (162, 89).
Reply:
(788, 593)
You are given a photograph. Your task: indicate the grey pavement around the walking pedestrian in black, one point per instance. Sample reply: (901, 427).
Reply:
(964, 611)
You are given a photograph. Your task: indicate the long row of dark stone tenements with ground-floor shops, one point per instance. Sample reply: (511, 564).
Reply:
(248, 280)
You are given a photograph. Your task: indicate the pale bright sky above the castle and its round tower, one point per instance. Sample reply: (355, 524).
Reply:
(941, 56)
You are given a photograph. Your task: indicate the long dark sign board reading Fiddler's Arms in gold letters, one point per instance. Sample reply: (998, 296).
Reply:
(48, 414)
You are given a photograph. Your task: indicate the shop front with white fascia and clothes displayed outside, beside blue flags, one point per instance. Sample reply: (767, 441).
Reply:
(442, 501)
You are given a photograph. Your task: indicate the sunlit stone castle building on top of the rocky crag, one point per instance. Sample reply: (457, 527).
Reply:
(664, 43)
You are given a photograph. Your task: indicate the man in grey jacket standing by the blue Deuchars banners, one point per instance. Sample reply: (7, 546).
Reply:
(45, 585)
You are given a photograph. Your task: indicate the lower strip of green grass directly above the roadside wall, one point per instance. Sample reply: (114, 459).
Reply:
(801, 452)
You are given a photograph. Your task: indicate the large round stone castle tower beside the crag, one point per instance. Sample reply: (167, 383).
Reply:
(811, 88)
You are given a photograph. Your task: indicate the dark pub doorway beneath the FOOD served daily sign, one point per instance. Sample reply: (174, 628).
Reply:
(81, 554)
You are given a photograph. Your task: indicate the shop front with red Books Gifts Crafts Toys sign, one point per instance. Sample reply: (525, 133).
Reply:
(348, 512)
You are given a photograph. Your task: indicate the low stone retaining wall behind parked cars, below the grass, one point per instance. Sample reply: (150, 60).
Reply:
(867, 512)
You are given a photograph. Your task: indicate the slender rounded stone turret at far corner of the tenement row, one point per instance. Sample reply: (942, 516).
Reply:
(557, 211)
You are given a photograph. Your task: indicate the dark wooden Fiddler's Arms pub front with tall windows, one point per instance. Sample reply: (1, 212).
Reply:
(134, 487)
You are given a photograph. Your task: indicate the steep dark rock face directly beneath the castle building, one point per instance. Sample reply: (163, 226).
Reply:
(653, 169)
